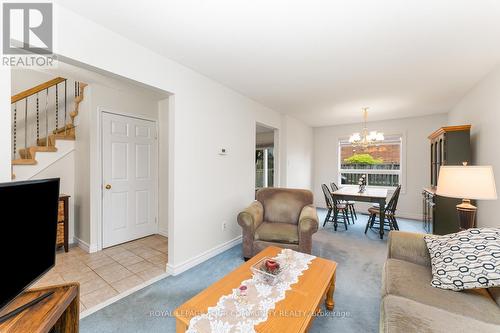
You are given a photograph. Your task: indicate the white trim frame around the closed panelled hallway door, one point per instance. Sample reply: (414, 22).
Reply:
(100, 111)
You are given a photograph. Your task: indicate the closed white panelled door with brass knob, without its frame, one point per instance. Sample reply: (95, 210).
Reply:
(130, 172)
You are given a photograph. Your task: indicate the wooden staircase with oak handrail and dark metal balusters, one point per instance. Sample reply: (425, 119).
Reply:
(41, 119)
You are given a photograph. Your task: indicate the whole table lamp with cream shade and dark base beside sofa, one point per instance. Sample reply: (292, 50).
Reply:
(467, 182)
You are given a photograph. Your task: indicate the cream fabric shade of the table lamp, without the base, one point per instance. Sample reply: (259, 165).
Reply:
(471, 182)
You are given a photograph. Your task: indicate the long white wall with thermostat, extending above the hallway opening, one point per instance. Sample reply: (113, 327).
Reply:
(206, 117)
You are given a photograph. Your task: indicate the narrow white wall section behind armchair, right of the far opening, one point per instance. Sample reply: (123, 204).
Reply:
(298, 153)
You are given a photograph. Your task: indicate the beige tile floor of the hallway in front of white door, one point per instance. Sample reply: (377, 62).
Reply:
(105, 274)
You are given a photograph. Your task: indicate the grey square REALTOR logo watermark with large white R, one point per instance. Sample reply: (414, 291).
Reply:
(27, 34)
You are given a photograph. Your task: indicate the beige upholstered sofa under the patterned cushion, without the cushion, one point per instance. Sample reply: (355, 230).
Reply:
(411, 304)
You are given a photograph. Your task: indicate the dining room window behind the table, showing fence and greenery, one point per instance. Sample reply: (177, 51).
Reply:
(380, 163)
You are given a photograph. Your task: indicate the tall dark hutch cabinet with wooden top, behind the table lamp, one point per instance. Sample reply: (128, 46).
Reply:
(448, 146)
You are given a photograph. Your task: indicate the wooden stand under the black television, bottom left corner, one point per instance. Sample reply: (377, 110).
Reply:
(60, 311)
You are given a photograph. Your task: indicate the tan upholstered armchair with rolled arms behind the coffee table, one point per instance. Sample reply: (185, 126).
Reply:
(281, 217)
